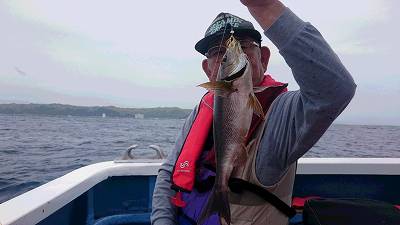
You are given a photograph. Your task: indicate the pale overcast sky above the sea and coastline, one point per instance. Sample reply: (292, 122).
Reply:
(141, 53)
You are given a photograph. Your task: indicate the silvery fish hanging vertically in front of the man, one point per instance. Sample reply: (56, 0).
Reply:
(234, 105)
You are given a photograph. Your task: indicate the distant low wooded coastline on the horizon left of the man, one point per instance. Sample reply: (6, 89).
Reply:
(97, 111)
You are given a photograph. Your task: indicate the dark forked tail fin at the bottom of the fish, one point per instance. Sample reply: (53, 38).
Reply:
(217, 203)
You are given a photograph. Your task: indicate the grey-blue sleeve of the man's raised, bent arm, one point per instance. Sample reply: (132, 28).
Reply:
(297, 119)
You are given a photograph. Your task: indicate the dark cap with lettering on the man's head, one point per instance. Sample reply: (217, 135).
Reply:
(221, 26)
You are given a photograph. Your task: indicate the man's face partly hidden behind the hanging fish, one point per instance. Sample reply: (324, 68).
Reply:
(250, 48)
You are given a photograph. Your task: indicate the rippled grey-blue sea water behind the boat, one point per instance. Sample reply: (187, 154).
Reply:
(37, 149)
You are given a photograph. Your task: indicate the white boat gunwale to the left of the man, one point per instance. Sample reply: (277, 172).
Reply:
(48, 198)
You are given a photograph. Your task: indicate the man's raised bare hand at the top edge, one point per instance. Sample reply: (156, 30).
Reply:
(266, 12)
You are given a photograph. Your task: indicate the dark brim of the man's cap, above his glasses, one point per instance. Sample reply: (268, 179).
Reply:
(203, 45)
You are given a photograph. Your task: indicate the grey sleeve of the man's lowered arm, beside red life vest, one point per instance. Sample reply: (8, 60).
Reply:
(163, 212)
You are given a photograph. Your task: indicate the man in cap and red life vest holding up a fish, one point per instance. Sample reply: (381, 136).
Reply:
(294, 123)
